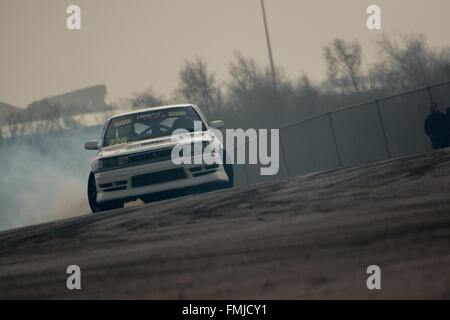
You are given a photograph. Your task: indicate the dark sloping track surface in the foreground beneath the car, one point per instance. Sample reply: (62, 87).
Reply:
(308, 237)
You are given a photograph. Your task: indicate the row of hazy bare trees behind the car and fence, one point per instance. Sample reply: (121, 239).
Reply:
(249, 99)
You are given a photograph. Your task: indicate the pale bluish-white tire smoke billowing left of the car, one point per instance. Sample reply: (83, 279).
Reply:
(45, 178)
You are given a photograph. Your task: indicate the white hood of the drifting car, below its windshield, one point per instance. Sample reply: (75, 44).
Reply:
(151, 144)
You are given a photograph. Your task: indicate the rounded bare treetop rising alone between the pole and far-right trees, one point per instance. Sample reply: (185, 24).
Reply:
(344, 63)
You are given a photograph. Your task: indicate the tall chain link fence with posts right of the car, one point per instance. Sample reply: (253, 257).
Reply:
(354, 135)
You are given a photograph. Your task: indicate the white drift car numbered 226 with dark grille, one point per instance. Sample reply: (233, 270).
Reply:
(134, 159)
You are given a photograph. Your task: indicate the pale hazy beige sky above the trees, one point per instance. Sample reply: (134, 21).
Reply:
(132, 44)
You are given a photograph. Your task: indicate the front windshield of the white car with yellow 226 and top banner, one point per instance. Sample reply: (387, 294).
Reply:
(150, 124)
